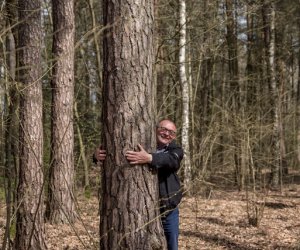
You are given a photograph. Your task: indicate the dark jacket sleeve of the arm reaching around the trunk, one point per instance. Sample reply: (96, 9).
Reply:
(170, 159)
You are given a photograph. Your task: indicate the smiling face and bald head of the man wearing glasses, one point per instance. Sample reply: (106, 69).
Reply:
(165, 132)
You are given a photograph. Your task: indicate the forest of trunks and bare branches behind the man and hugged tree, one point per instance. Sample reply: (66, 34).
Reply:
(226, 72)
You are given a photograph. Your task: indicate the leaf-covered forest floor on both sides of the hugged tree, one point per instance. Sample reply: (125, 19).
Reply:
(219, 221)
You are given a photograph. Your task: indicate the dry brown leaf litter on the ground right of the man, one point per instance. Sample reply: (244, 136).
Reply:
(222, 223)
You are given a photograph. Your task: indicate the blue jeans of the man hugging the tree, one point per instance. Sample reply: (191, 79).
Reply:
(170, 224)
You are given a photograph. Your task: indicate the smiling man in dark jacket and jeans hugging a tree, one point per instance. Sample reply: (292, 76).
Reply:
(166, 160)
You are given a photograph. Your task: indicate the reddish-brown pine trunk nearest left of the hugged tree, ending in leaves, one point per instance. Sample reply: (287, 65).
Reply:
(61, 207)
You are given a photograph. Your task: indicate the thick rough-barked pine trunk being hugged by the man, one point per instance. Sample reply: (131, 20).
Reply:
(129, 206)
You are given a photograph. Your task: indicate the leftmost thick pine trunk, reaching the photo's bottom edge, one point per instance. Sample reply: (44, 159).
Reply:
(30, 223)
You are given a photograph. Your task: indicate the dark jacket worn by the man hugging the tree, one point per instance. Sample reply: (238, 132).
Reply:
(167, 162)
